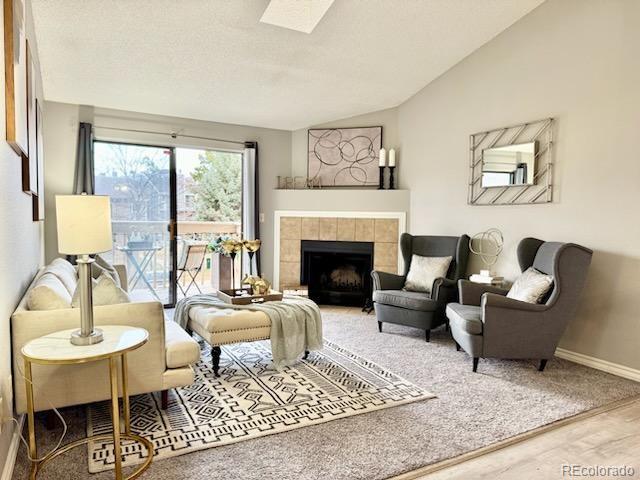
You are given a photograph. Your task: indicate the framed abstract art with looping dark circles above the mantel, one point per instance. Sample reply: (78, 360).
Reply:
(344, 157)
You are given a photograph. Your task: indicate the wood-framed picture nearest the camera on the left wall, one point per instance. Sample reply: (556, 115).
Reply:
(15, 66)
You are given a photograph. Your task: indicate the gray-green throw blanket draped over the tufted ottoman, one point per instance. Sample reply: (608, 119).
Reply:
(296, 323)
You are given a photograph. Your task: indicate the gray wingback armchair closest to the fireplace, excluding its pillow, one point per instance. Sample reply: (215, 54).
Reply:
(417, 309)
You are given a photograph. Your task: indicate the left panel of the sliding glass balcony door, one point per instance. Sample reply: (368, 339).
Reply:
(140, 179)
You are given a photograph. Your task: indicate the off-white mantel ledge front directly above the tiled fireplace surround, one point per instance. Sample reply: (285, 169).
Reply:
(338, 199)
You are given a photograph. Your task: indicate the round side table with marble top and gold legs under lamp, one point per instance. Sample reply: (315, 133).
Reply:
(56, 349)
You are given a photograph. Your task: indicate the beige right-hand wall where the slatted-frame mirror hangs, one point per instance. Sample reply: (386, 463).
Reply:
(577, 61)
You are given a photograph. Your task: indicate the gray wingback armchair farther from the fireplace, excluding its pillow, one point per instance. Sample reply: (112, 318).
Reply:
(488, 324)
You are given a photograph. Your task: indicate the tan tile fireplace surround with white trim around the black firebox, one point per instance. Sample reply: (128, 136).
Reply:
(381, 228)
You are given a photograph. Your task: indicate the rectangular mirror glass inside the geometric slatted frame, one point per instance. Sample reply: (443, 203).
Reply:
(509, 165)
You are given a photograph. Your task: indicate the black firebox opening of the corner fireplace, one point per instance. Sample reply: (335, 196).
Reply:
(335, 272)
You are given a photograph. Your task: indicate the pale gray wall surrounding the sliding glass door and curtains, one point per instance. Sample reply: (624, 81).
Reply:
(274, 149)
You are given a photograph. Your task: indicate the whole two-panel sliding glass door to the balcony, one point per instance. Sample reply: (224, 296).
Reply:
(168, 205)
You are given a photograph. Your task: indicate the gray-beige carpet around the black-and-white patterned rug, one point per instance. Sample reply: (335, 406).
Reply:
(471, 410)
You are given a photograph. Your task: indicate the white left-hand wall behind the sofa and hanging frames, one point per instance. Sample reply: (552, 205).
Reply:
(20, 250)
